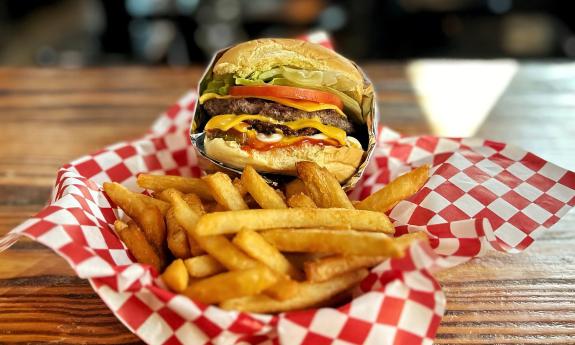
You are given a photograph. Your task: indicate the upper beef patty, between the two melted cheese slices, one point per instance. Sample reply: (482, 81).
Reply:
(274, 110)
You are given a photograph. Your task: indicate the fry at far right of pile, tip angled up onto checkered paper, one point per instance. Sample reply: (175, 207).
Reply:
(399, 189)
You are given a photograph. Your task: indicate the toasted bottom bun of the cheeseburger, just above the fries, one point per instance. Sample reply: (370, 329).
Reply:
(341, 161)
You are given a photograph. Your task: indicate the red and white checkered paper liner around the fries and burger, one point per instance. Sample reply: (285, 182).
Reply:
(482, 196)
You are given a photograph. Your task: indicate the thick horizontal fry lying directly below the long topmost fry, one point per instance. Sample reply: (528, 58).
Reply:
(348, 242)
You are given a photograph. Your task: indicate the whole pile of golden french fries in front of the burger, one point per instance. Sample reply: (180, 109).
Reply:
(246, 246)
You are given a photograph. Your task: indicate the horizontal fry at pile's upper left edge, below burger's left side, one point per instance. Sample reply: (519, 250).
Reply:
(158, 183)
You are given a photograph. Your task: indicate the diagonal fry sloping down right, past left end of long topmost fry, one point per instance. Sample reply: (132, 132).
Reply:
(219, 247)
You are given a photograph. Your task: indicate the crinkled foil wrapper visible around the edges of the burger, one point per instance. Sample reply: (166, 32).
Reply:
(367, 138)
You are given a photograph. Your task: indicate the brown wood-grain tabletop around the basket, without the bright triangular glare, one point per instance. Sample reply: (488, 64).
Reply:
(49, 117)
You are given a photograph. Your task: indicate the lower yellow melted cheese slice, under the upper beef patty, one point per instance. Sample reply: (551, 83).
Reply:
(228, 121)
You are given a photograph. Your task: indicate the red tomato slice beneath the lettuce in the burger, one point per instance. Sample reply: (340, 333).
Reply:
(287, 92)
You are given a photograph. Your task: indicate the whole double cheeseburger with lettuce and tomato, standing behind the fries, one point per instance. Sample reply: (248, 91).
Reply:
(271, 103)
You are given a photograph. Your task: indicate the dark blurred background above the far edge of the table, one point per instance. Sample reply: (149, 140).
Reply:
(75, 33)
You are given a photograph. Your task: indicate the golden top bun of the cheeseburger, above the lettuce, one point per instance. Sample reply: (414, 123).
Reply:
(267, 53)
